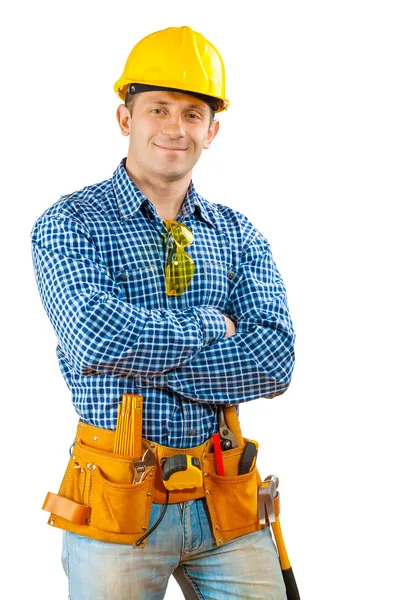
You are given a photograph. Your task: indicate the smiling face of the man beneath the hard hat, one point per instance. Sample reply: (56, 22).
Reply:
(168, 132)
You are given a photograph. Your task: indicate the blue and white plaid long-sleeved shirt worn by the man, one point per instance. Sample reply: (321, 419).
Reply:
(99, 257)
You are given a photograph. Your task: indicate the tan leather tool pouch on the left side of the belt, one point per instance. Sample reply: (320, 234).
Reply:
(97, 498)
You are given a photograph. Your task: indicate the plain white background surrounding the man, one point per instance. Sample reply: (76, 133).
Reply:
(309, 150)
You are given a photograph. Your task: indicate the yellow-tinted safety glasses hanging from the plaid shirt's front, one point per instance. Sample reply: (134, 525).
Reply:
(180, 267)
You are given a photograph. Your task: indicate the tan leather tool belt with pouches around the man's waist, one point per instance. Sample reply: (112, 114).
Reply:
(97, 498)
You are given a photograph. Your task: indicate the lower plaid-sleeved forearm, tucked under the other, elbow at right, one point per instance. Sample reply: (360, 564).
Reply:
(243, 367)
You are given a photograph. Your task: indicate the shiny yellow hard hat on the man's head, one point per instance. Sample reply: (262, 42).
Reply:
(176, 58)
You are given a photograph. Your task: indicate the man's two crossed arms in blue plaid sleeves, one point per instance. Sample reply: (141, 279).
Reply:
(197, 352)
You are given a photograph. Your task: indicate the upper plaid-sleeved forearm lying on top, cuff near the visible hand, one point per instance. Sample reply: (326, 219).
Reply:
(136, 341)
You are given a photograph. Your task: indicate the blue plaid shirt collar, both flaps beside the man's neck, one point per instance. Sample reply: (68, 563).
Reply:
(130, 198)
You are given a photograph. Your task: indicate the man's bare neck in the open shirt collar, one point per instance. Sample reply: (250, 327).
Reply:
(167, 196)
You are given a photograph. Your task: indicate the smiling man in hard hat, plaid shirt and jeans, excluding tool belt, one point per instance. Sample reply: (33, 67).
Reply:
(153, 290)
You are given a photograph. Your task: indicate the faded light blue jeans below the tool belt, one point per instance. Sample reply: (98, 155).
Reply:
(183, 546)
